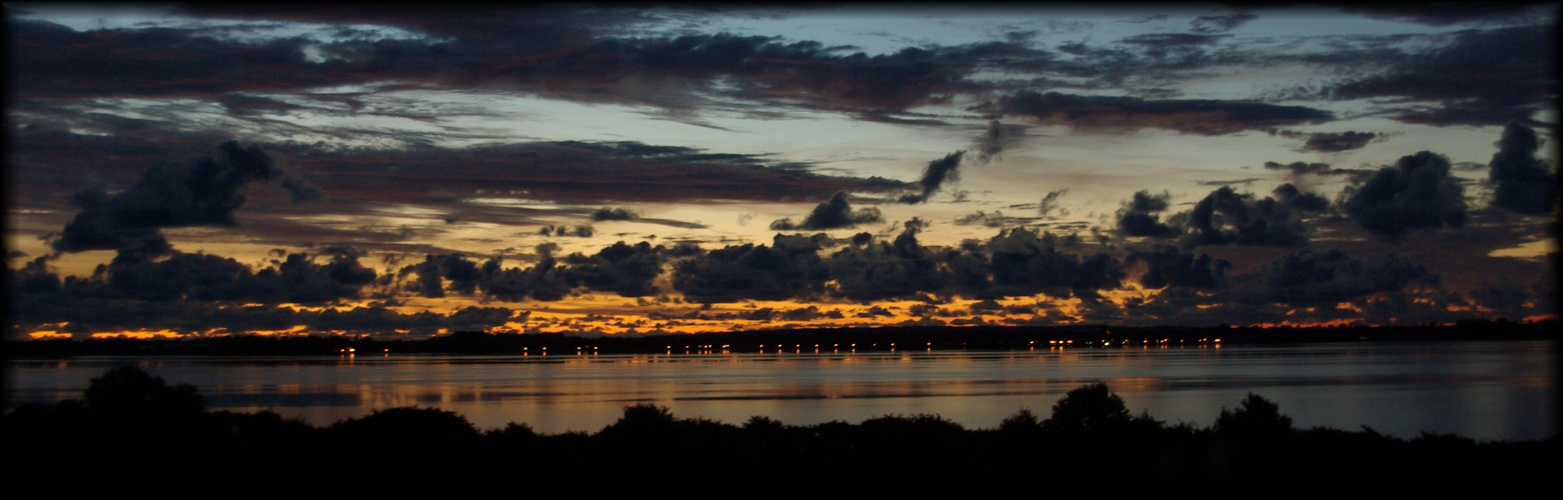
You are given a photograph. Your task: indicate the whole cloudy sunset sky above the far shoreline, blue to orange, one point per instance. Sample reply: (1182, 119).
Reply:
(412, 171)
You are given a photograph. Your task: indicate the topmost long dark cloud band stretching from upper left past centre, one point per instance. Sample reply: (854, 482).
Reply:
(557, 52)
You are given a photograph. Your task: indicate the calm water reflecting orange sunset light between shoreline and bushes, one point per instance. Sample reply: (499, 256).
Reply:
(1476, 390)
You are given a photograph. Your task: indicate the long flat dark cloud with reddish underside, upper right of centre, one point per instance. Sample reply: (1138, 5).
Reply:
(1204, 118)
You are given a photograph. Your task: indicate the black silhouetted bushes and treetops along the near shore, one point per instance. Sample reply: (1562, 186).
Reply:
(135, 430)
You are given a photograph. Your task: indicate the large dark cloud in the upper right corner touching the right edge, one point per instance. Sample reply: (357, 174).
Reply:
(1479, 79)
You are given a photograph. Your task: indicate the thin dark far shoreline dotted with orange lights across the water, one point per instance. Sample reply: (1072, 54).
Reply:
(810, 340)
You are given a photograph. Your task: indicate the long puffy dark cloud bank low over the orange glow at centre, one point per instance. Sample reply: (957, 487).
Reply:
(1015, 263)
